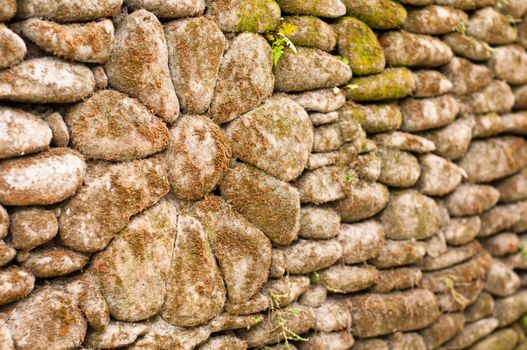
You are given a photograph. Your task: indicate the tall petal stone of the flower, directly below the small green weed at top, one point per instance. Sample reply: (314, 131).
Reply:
(240, 86)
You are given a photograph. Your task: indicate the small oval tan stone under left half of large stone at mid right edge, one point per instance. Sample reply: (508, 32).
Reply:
(471, 199)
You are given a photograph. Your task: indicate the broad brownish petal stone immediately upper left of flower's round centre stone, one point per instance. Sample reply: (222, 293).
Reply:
(112, 126)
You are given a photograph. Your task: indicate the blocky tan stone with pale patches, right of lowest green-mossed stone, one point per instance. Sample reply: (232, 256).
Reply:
(429, 113)
